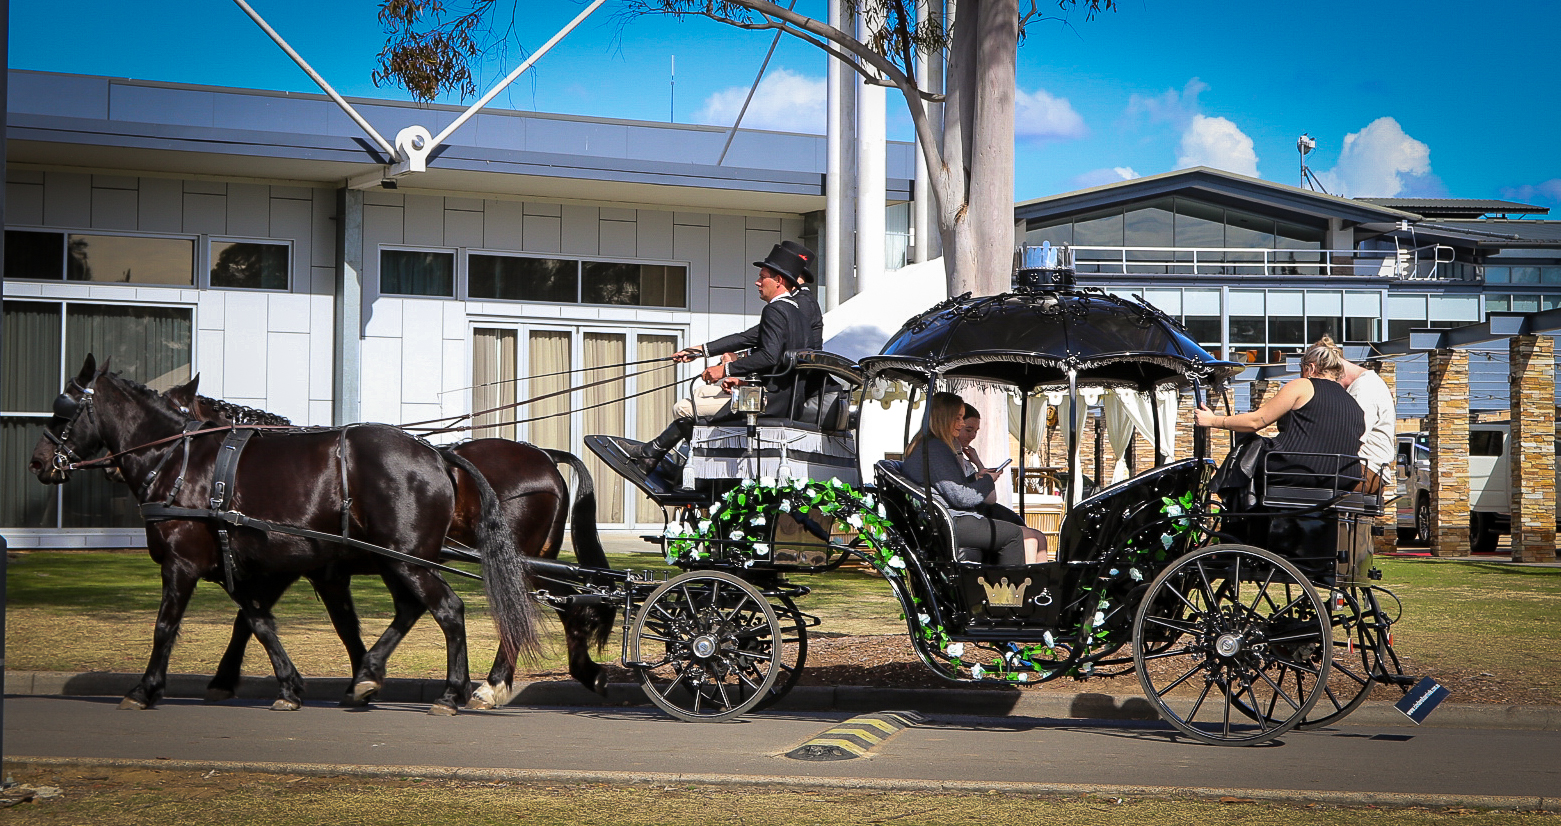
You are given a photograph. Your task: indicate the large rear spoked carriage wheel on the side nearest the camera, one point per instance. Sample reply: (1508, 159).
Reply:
(1228, 630)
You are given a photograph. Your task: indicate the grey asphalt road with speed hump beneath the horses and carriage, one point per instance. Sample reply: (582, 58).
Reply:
(641, 741)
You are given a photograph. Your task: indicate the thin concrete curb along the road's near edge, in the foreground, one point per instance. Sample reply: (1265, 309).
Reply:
(784, 781)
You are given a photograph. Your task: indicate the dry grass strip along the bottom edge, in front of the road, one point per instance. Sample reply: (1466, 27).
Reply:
(116, 796)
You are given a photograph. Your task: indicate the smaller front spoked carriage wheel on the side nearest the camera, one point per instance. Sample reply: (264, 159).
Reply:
(706, 647)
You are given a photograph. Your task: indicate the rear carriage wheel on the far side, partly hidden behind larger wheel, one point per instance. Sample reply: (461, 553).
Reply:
(1360, 658)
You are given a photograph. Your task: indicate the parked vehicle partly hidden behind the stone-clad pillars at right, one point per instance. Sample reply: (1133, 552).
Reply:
(1490, 486)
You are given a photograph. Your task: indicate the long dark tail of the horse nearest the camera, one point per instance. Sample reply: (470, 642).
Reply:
(507, 577)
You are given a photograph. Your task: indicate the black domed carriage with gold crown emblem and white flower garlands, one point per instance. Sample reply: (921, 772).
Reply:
(1242, 624)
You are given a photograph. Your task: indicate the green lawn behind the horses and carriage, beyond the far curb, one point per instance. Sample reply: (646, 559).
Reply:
(1487, 630)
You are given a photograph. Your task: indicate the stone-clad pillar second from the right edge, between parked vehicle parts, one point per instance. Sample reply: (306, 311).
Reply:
(1448, 425)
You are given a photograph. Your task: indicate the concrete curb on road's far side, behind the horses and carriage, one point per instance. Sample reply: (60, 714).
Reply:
(813, 699)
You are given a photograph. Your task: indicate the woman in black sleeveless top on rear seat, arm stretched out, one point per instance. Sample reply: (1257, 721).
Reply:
(1315, 415)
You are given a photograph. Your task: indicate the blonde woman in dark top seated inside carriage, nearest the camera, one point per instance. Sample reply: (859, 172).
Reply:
(1005, 543)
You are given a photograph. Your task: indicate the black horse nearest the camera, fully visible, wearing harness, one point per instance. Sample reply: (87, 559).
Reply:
(399, 493)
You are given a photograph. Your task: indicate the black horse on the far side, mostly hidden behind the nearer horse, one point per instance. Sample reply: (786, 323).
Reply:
(533, 496)
